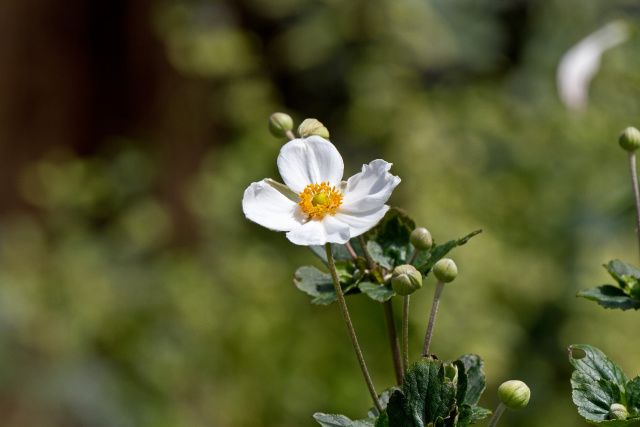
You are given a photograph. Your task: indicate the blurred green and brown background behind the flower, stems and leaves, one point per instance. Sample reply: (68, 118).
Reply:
(133, 292)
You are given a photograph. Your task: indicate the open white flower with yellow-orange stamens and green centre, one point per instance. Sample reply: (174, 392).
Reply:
(315, 206)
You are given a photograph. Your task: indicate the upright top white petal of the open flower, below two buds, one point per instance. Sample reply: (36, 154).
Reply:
(309, 161)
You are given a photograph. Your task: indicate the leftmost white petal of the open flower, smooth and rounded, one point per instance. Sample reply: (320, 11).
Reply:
(269, 207)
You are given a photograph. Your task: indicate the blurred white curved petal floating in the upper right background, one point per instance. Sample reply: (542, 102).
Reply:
(580, 64)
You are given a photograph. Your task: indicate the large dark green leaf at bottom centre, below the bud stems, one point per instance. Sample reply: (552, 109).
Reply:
(427, 396)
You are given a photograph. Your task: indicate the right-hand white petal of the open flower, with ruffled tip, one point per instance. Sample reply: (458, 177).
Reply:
(369, 189)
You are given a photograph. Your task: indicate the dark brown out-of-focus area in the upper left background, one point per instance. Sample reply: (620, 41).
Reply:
(75, 73)
